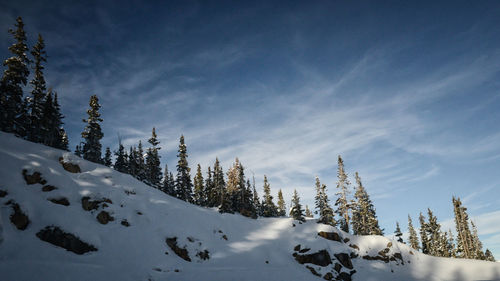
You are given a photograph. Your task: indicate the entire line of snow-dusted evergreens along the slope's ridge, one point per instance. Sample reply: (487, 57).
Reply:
(37, 117)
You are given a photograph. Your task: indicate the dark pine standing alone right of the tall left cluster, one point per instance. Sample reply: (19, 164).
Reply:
(92, 133)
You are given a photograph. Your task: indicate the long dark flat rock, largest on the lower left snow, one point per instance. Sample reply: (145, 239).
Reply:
(55, 236)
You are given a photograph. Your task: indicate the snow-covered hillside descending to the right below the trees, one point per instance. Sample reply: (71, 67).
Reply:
(134, 245)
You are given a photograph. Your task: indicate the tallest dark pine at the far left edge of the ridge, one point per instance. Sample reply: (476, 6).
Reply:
(12, 110)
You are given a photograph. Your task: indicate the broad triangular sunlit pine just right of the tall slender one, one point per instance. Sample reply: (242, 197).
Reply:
(364, 218)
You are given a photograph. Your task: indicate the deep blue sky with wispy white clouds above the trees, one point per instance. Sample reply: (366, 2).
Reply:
(407, 92)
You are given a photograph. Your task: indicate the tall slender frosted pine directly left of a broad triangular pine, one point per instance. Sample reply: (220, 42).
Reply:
(342, 202)
